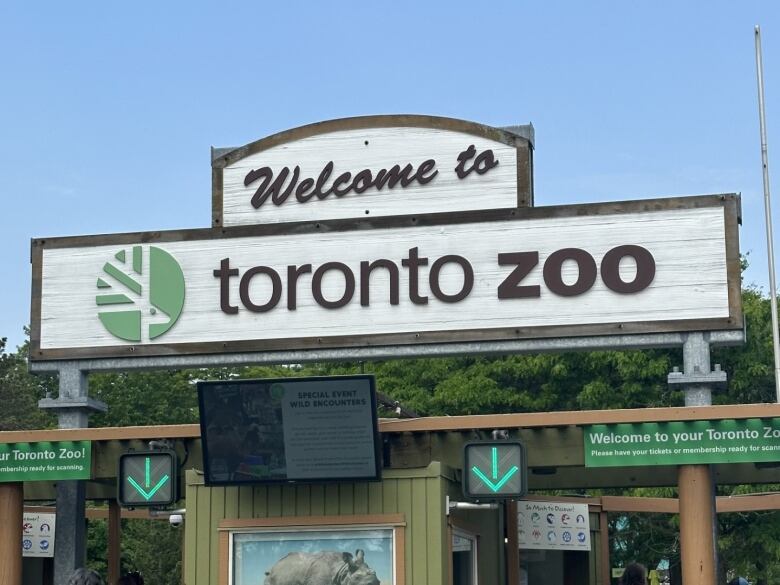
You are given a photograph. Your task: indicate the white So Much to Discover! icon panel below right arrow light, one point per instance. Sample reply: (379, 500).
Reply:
(553, 526)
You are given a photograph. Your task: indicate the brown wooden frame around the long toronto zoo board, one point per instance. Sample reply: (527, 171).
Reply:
(733, 321)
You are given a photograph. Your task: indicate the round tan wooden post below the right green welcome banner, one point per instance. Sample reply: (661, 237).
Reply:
(697, 546)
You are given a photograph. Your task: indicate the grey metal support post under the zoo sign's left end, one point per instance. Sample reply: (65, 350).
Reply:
(72, 407)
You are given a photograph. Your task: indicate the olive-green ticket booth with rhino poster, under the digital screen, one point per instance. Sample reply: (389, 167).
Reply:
(395, 528)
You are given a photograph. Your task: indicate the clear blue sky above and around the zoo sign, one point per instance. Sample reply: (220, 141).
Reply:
(108, 110)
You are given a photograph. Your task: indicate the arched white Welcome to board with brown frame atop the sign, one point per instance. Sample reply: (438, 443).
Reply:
(372, 166)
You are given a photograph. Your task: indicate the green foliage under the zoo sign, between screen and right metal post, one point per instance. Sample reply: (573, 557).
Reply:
(523, 383)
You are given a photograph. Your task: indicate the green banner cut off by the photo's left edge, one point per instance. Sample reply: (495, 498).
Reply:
(45, 461)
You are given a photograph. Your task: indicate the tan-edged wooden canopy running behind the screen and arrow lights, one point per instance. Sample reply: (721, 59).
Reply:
(554, 441)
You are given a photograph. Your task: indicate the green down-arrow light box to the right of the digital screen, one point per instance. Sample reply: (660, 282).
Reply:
(494, 470)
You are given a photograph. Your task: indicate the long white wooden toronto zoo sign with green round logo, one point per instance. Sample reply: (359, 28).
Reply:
(558, 271)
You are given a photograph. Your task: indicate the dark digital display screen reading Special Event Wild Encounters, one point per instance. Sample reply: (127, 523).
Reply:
(289, 430)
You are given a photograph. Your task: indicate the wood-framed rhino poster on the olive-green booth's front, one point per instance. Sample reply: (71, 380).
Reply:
(344, 549)
